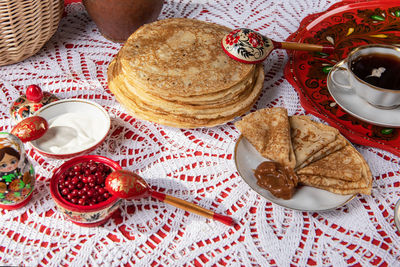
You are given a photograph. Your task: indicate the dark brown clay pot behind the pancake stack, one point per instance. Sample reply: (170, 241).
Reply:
(118, 19)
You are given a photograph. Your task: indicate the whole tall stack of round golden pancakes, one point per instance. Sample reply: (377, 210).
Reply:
(174, 72)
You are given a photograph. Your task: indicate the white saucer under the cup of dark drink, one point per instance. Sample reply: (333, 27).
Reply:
(361, 109)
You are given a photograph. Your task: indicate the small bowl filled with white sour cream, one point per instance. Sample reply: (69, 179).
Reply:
(76, 127)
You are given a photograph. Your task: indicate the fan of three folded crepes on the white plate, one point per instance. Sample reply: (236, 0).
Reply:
(319, 154)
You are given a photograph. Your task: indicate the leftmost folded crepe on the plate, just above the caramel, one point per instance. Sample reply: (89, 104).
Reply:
(268, 131)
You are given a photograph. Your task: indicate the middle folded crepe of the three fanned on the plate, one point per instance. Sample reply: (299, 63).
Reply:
(312, 140)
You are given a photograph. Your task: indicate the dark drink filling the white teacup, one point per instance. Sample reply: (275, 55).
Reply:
(381, 70)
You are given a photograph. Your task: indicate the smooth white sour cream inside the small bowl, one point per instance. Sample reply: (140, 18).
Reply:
(70, 133)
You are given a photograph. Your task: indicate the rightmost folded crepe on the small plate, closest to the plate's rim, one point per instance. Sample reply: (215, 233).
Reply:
(342, 172)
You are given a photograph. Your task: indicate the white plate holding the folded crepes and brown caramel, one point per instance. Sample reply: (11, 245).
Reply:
(306, 198)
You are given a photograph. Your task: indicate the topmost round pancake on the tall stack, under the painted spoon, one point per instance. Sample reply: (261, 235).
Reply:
(181, 57)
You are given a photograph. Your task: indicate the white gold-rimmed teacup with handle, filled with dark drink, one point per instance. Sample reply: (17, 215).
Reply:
(372, 72)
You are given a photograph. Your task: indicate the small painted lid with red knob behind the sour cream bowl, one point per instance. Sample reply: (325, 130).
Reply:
(26, 105)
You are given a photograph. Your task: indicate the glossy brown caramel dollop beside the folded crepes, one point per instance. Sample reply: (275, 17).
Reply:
(281, 181)
